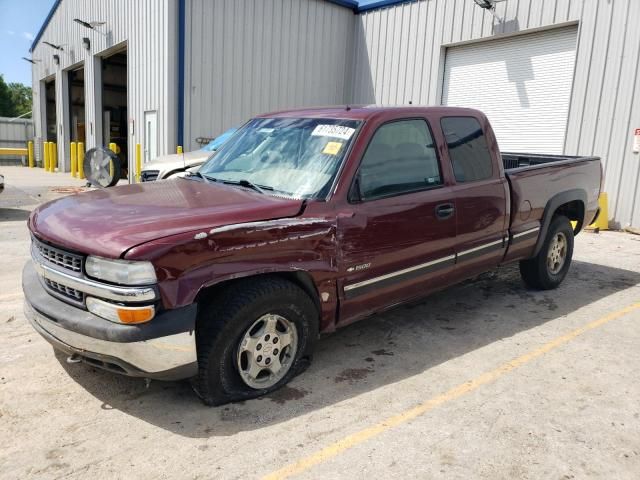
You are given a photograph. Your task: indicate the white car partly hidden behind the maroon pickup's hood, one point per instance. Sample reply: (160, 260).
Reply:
(168, 166)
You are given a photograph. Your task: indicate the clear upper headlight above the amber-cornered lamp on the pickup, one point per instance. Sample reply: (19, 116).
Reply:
(124, 272)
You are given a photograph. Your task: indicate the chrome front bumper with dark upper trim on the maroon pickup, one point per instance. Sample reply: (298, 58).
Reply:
(164, 348)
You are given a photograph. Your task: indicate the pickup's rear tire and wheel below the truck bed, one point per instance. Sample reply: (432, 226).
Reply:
(545, 271)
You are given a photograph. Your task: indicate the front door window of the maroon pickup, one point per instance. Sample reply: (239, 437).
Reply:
(400, 158)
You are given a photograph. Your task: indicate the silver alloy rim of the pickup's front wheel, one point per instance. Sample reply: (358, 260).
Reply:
(266, 351)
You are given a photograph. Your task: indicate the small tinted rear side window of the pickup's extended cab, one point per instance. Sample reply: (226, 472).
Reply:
(468, 149)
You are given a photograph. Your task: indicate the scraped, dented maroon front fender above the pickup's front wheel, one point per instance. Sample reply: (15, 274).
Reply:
(187, 263)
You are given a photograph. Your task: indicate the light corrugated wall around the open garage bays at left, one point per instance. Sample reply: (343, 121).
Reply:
(149, 28)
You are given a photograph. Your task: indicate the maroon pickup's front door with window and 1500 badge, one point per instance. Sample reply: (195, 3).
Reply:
(399, 239)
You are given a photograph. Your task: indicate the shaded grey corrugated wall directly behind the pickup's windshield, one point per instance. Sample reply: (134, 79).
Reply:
(245, 57)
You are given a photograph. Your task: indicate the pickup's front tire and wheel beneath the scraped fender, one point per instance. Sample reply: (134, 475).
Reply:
(225, 325)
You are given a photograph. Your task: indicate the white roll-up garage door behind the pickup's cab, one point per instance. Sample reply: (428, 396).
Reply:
(522, 83)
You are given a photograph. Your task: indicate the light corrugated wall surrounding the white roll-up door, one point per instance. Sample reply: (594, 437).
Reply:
(399, 57)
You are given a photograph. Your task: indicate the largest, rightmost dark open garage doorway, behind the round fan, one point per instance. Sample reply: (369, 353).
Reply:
(114, 105)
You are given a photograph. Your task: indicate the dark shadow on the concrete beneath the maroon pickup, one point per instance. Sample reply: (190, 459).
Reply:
(375, 352)
